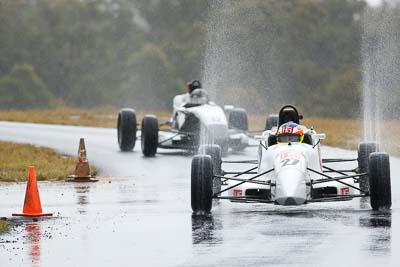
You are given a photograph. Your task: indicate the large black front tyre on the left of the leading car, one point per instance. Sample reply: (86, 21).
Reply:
(202, 184)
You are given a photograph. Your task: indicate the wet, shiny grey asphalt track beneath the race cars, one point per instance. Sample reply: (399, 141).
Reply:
(142, 216)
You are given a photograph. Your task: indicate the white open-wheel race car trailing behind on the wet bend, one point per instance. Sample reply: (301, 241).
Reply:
(199, 121)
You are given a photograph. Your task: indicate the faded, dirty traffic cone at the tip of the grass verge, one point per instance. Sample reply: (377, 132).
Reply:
(82, 170)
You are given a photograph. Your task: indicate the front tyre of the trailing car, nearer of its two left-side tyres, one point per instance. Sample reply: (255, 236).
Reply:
(149, 135)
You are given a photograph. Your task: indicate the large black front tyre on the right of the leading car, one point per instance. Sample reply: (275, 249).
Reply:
(379, 180)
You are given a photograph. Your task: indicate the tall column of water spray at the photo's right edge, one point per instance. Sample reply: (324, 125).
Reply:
(381, 72)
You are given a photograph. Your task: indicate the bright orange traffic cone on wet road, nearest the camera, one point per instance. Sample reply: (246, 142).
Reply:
(32, 205)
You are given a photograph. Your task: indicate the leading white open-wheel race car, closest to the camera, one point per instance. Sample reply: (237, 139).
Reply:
(291, 173)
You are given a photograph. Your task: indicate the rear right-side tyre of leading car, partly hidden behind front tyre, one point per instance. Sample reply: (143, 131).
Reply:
(364, 150)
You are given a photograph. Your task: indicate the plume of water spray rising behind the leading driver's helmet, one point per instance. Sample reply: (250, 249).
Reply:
(239, 59)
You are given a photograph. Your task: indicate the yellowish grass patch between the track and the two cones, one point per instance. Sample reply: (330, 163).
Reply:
(16, 158)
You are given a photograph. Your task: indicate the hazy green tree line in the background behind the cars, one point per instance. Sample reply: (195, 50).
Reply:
(89, 53)
